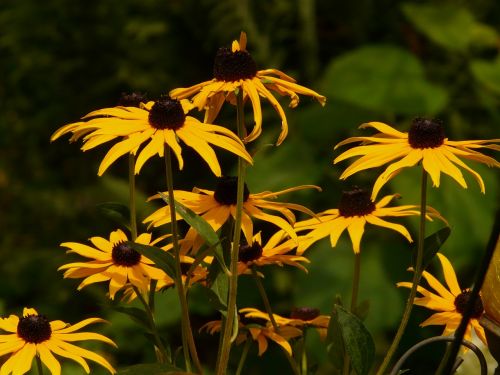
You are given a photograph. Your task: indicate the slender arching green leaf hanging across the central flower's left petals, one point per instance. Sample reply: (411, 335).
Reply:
(202, 227)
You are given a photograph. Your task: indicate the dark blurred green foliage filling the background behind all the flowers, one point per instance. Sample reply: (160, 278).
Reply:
(380, 60)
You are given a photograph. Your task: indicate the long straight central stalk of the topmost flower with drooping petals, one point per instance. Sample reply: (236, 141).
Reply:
(227, 331)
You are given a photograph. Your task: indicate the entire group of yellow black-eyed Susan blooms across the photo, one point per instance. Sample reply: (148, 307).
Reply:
(141, 129)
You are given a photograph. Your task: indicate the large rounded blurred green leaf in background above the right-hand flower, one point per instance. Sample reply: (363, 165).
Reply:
(383, 78)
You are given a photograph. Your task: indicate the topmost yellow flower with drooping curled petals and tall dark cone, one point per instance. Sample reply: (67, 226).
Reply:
(235, 69)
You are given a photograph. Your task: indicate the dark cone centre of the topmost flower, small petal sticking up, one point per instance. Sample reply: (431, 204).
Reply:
(232, 66)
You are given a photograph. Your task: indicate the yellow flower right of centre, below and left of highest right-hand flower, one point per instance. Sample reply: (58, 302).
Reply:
(355, 209)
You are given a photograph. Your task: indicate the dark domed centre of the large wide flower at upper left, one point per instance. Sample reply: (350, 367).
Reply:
(167, 113)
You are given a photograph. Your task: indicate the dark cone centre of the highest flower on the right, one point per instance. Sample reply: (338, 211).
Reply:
(426, 133)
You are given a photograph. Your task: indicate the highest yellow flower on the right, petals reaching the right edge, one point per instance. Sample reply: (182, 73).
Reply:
(426, 141)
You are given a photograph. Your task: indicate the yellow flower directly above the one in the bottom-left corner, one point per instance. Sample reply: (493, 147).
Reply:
(114, 261)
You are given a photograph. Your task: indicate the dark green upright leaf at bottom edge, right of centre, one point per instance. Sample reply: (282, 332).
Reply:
(347, 334)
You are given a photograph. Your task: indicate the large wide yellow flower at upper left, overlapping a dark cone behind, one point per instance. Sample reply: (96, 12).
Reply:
(158, 123)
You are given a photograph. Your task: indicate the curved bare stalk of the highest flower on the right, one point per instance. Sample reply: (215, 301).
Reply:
(417, 275)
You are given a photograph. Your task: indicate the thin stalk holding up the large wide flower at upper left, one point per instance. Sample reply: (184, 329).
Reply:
(188, 344)
